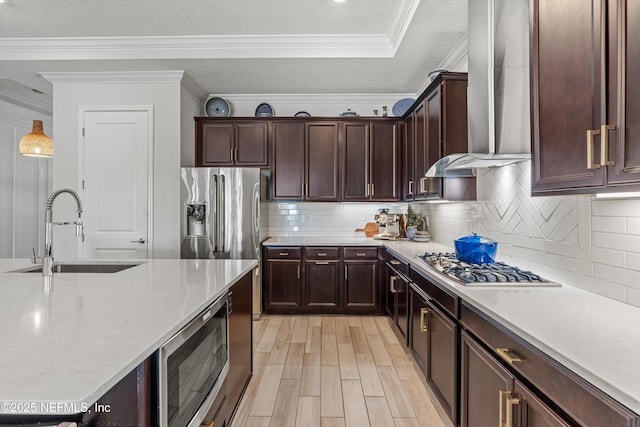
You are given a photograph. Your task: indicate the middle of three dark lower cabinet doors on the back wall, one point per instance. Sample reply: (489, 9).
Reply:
(322, 280)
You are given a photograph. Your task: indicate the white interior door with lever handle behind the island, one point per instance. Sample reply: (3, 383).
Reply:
(115, 184)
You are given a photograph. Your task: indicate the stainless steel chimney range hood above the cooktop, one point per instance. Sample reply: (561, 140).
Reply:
(498, 89)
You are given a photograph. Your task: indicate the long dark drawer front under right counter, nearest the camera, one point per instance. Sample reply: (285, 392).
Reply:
(585, 403)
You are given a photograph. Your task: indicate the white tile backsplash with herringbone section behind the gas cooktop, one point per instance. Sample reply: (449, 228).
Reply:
(584, 242)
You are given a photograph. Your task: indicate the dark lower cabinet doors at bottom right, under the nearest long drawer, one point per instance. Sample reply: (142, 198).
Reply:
(490, 394)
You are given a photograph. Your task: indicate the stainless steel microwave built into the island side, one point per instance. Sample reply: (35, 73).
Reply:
(193, 365)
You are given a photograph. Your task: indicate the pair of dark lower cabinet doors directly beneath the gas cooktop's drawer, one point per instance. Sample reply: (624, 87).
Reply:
(434, 343)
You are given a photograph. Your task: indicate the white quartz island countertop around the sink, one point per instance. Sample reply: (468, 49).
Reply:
(67, 345)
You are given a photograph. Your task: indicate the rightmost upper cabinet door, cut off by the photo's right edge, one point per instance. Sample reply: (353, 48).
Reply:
(623, 110)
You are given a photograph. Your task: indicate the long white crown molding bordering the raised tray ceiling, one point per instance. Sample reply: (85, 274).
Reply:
(382, 45)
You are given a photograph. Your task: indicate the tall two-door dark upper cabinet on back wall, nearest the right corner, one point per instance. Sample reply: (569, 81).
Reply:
(371, 160)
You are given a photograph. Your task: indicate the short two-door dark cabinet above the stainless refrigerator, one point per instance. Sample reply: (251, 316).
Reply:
(231, 142)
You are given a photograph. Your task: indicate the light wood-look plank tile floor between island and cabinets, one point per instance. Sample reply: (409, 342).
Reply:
(330, 371)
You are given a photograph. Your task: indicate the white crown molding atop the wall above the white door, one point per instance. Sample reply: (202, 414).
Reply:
(113, 77)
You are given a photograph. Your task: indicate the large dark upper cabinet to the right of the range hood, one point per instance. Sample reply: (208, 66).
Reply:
(585, 108)
